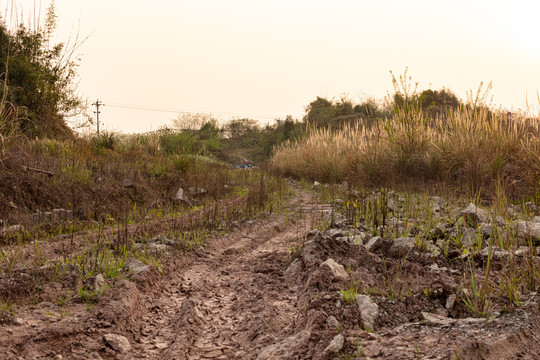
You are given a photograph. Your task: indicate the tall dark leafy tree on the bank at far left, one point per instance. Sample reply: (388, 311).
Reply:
(38, 78)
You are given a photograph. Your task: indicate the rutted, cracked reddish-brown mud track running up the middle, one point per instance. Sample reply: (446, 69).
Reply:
(235, 298)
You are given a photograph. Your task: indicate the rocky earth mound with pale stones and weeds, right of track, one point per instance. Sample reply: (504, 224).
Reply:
(392, 290)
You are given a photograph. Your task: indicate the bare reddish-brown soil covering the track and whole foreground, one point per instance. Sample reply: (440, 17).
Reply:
(246, 297)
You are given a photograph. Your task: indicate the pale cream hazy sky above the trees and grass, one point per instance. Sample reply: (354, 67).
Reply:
(268, 59)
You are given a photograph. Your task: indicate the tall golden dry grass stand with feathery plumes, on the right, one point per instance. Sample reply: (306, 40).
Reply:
(475, 147)
